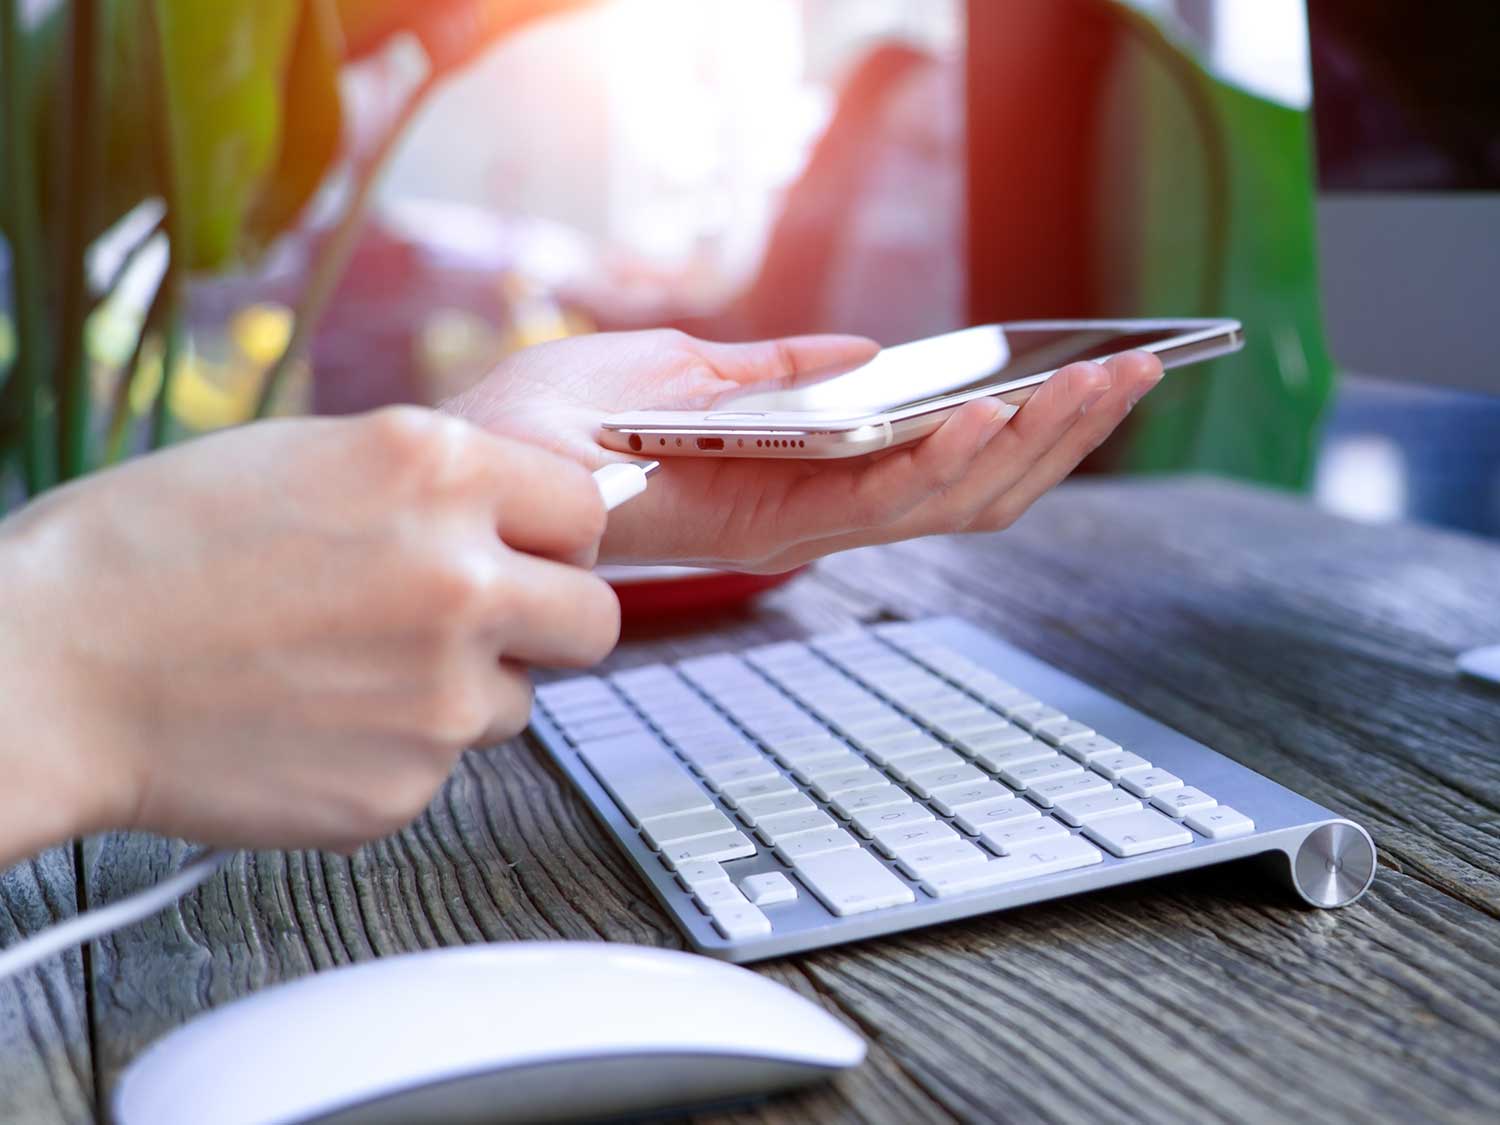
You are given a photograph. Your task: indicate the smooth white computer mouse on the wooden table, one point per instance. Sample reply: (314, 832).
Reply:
(517, 1033)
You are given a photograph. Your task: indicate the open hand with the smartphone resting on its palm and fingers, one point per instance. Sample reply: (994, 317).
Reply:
(980, 472)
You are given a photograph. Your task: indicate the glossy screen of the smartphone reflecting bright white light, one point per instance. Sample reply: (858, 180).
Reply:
(913, 376)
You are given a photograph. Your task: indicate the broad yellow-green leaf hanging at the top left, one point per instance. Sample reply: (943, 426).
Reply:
(223, 70)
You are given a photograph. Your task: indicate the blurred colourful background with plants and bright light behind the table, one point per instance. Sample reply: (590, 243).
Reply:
(217, 211)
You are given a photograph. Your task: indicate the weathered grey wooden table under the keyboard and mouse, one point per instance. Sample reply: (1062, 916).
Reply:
(1313, 650)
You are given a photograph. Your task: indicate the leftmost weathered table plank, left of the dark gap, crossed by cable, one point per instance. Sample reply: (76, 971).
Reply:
(46, 1067)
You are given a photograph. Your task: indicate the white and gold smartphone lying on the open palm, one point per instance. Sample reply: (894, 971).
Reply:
(905, 392)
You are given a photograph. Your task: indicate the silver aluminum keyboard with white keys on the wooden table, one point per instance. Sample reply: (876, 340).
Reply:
(805, 794)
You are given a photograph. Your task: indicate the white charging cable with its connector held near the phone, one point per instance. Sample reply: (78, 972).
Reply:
(617, 484)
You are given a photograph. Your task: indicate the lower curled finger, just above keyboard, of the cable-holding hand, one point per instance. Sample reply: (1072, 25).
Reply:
(551, 614)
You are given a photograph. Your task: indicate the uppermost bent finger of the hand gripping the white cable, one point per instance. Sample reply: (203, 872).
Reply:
(545, 503)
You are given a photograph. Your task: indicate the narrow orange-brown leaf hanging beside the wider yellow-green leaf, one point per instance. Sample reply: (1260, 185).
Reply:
(313, 128)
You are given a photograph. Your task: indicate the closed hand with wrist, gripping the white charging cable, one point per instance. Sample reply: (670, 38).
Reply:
(286, 635)
